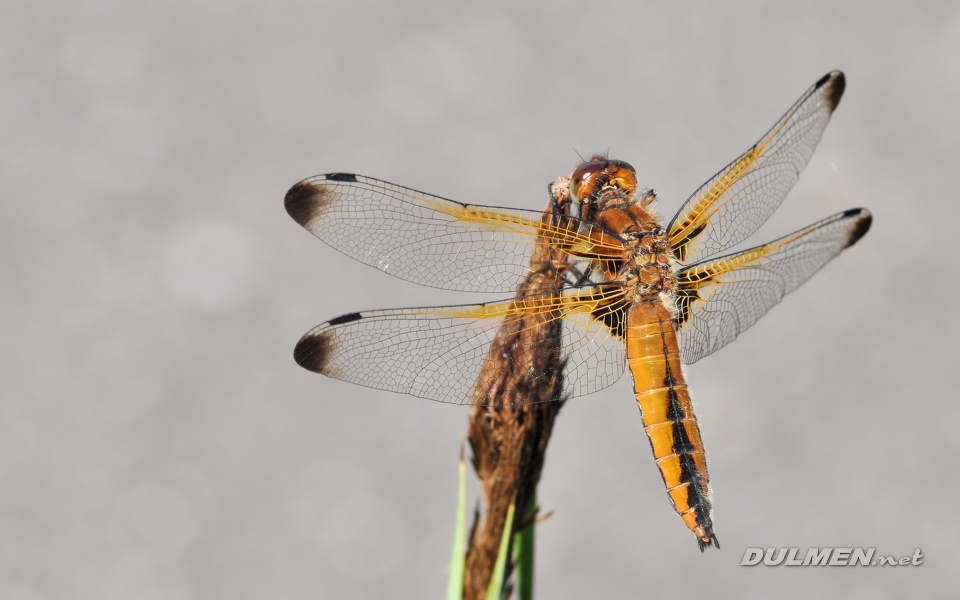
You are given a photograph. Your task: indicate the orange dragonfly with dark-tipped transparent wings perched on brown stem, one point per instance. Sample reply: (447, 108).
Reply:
(635, 293)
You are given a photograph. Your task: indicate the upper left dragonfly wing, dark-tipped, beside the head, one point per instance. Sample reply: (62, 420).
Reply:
(434, 241)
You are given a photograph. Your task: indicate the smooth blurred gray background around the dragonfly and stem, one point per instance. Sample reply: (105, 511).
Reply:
(157, 439)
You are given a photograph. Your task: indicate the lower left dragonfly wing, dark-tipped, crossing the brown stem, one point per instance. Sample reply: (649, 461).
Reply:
(437, 353)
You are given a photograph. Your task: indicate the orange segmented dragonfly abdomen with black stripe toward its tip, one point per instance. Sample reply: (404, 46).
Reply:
(654, 358)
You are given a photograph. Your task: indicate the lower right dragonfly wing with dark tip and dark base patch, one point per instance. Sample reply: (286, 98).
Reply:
(720, 298)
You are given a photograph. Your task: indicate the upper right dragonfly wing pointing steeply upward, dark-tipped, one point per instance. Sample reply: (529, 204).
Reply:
(739, 199)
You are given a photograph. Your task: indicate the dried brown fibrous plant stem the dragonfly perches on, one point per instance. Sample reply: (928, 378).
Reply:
(514, 410)
